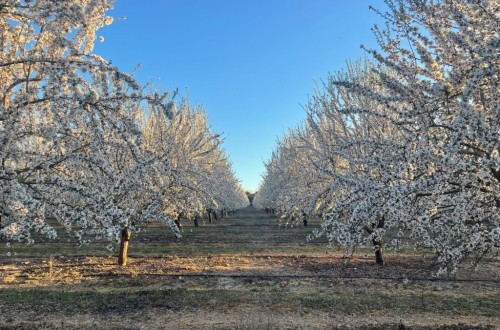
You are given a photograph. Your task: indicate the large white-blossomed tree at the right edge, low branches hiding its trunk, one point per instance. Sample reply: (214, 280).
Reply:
(442, 94)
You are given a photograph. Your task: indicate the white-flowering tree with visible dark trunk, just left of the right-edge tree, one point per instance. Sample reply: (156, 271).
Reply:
(359, 148)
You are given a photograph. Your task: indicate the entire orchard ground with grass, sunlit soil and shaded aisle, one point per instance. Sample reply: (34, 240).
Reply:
(244, 271)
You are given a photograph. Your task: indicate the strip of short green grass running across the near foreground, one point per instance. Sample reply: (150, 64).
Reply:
(113, 299)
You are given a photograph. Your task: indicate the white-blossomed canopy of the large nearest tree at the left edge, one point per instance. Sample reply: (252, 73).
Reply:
(71, 147)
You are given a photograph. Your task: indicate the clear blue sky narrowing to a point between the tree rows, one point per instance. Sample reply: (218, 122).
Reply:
(251, 64)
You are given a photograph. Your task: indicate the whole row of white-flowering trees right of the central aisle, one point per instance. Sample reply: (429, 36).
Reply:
(406, 142)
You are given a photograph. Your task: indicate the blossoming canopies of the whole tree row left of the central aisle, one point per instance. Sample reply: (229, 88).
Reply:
(84, 144)
